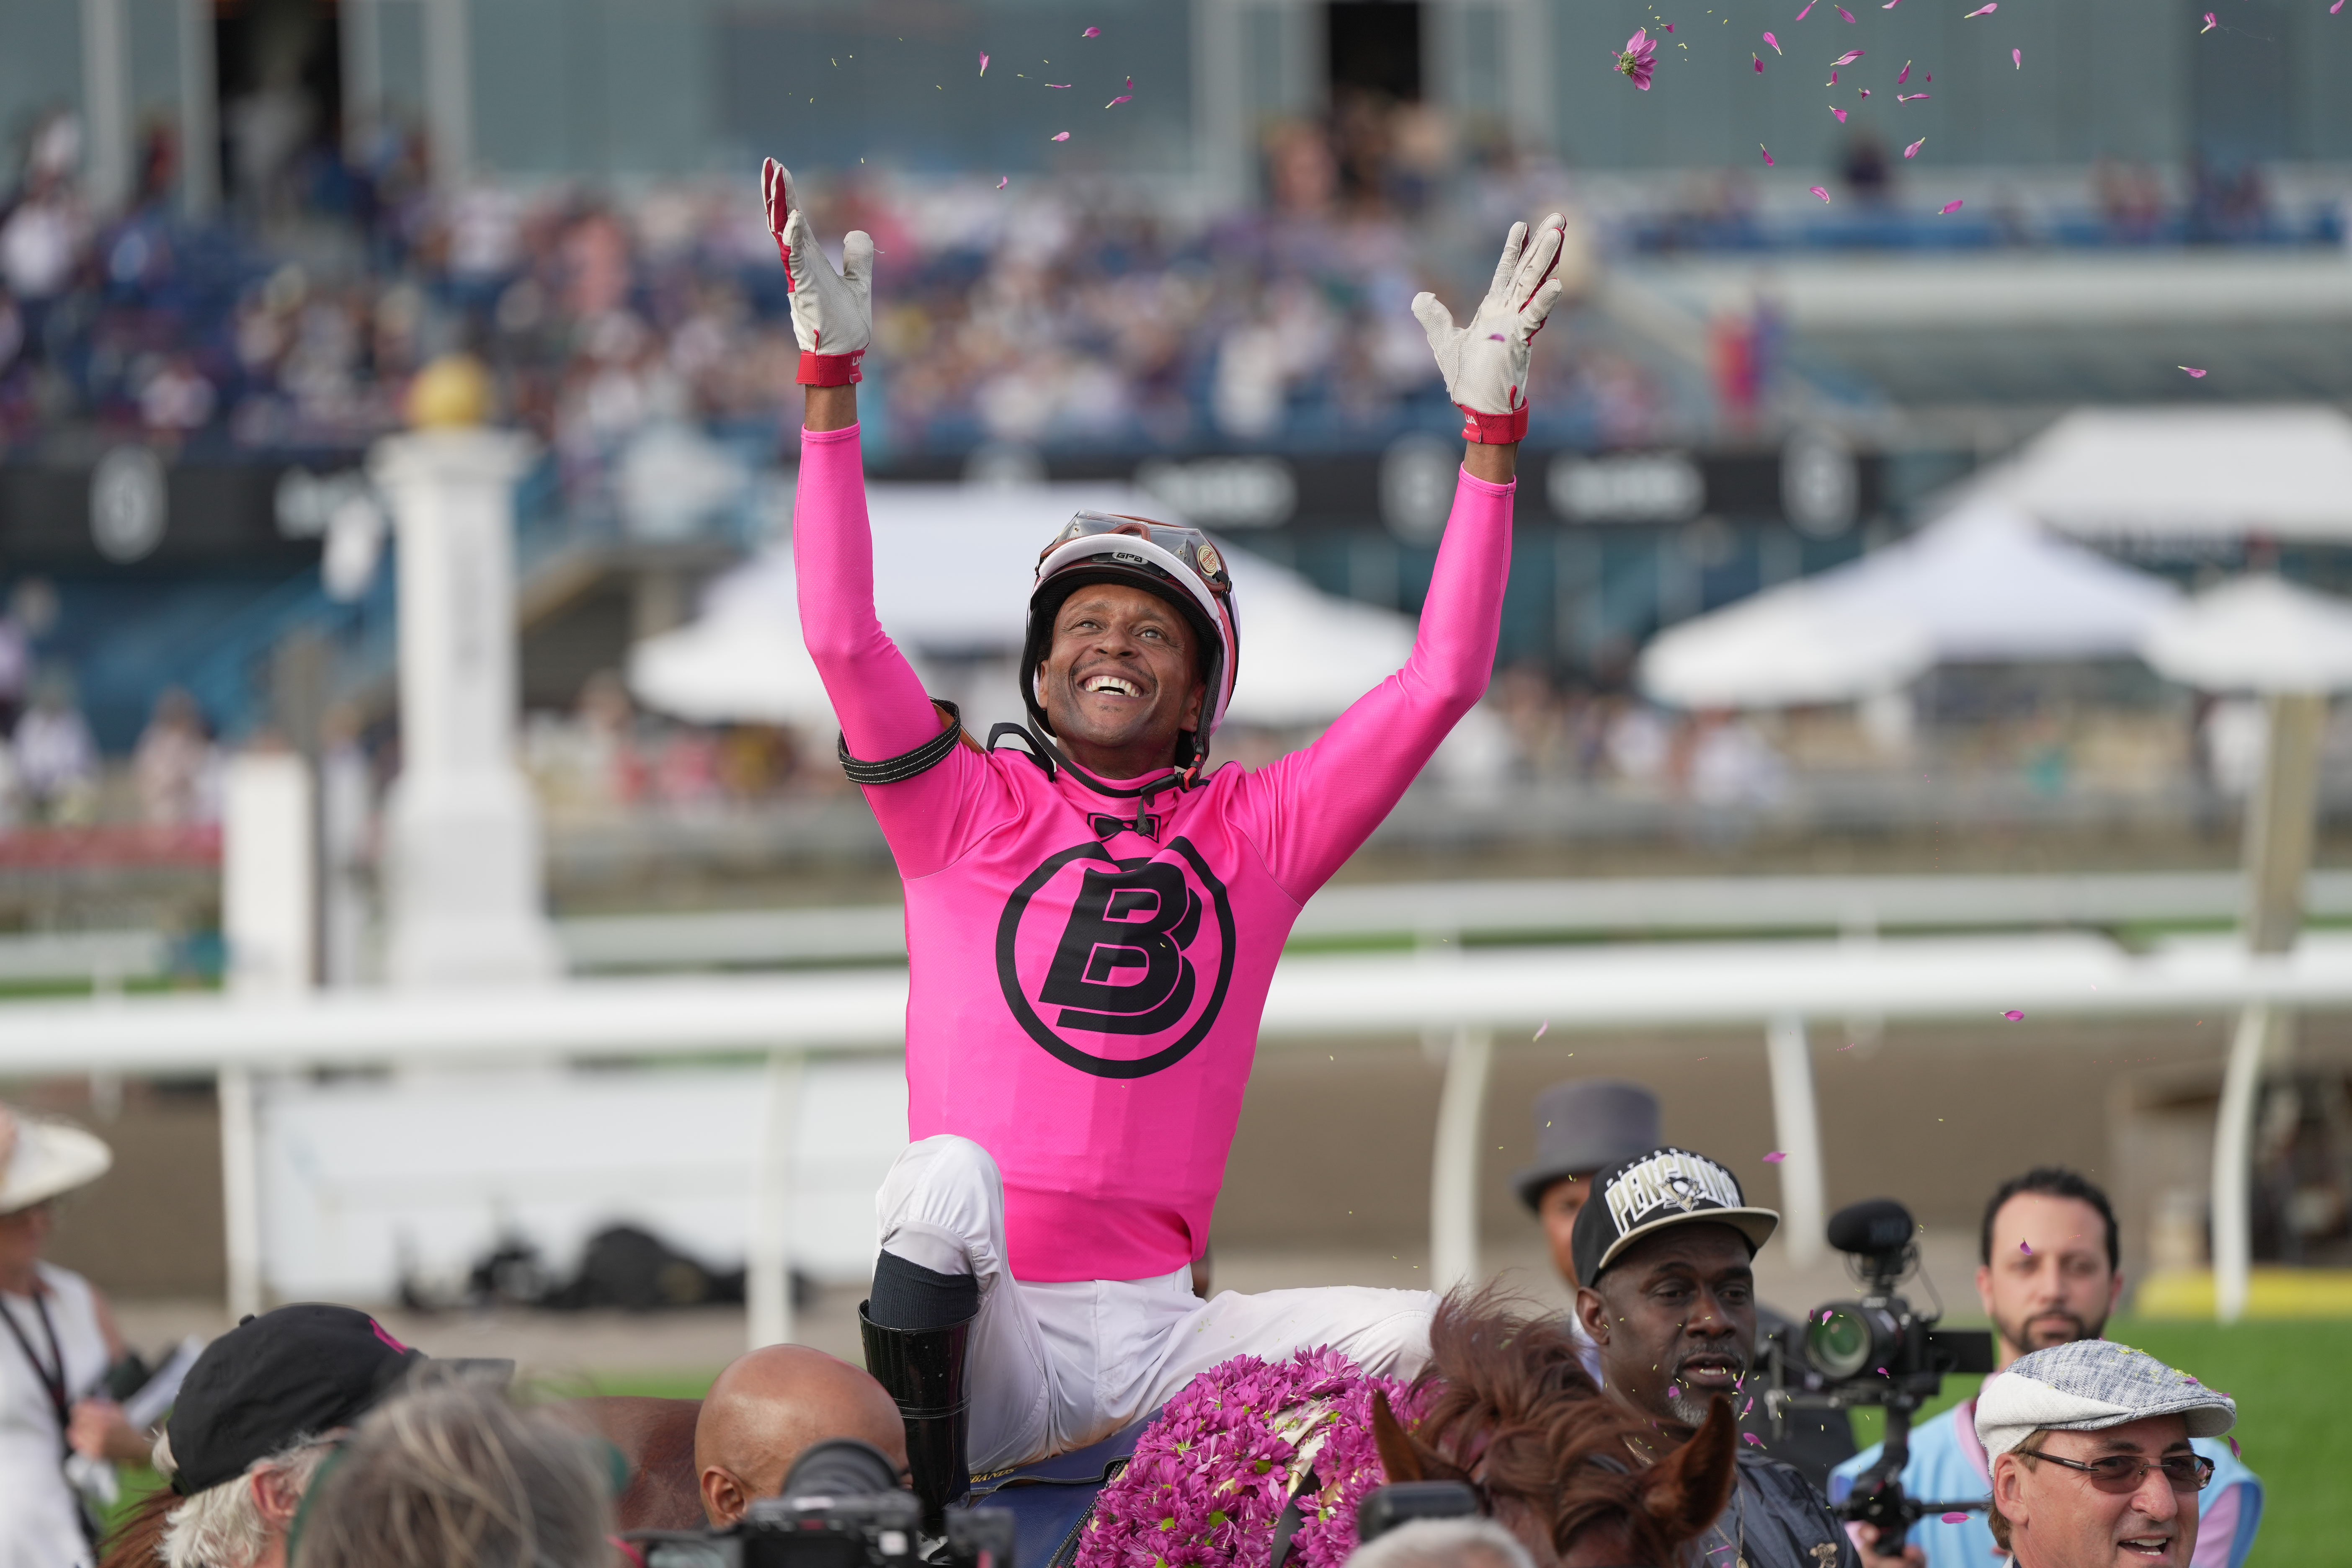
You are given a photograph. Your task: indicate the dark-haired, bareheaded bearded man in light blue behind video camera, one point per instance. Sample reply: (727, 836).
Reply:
(2050, 1275)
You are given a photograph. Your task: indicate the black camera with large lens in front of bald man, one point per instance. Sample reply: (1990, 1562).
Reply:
(841, 1508)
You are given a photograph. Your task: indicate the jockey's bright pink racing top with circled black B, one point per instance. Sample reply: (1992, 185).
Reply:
(1088, 970)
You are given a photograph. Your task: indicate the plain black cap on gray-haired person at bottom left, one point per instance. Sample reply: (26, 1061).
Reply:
(274, 1379)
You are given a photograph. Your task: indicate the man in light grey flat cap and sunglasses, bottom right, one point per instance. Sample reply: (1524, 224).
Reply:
(2092, 1463)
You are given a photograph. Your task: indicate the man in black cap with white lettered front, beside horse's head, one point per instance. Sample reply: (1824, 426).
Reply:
(1664, 1249)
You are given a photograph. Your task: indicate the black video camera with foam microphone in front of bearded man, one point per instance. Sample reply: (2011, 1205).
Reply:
(1876, 1353)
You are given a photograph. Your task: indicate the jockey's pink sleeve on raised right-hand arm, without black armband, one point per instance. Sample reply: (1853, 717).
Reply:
(1311, 810)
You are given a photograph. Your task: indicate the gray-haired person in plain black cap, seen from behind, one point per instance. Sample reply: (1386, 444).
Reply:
(258, 1414)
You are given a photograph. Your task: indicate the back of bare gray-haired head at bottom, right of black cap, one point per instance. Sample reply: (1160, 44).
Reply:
(453, 1475)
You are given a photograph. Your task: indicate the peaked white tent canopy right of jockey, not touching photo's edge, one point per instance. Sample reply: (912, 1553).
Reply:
(1982, 584)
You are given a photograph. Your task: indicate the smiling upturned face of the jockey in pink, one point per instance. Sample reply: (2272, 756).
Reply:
(1121, 681)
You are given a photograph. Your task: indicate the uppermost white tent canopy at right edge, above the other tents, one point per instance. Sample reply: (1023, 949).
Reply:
(2200, 474)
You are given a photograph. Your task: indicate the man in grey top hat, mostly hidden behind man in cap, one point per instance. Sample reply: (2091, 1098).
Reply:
(1586, 1125)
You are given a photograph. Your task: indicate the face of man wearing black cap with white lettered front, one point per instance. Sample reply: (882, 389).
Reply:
(1676, 1320)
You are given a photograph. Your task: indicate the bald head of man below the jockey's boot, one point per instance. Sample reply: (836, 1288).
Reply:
(775, 1405)
